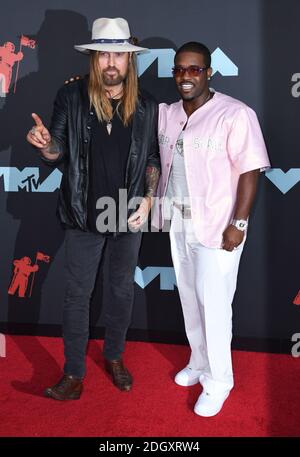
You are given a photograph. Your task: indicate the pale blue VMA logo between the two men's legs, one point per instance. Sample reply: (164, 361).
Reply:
(166, 274)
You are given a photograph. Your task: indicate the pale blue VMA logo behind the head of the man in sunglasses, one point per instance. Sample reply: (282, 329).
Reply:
(165, 60)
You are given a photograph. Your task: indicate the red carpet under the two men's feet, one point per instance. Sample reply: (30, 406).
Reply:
(264, 402)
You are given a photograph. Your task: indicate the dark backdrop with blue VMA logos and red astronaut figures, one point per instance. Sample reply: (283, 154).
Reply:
(254, 49)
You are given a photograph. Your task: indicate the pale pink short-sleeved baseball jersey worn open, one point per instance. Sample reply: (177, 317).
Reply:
(222, 140)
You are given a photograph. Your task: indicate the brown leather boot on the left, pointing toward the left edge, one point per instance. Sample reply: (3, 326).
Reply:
(68, 388)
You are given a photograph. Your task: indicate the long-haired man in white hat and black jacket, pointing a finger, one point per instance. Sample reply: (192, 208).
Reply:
(104, 130)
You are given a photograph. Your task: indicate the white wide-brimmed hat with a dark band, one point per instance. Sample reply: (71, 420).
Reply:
(111, 35)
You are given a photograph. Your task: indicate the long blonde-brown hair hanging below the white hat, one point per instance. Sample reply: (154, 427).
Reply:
(98, 97)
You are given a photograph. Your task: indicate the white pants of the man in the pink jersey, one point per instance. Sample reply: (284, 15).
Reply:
(206, 280)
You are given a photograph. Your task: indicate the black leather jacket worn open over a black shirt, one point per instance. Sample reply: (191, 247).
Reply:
(71, 133)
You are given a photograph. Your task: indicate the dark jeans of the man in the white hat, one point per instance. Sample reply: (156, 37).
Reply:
(84, 251)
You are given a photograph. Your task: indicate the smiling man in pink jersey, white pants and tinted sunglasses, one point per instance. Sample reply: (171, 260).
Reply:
(212, 151)
